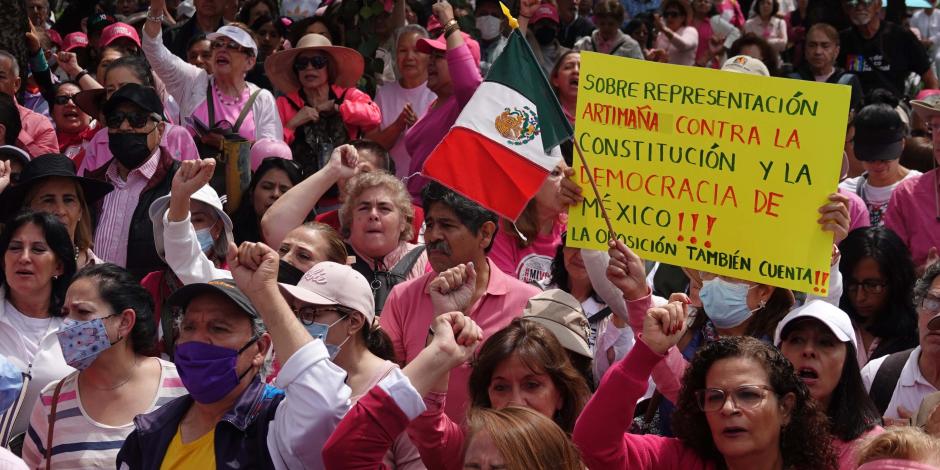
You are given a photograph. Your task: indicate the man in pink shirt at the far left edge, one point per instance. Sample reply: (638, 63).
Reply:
(37, 135)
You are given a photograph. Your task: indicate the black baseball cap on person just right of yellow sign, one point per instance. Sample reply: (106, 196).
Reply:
(879, 133)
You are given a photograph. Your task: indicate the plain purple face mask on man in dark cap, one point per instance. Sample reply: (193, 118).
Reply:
(208, 371)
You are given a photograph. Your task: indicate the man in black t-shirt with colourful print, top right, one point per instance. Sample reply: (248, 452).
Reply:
(882, 53)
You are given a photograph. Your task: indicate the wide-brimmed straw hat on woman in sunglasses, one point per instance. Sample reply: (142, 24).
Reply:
(347, 64)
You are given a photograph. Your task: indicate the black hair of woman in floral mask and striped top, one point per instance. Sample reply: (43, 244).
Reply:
(121, 290)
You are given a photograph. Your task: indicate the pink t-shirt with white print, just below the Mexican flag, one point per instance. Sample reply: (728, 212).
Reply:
(532, 263)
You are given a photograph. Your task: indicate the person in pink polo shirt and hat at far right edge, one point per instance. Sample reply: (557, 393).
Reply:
(914, 209)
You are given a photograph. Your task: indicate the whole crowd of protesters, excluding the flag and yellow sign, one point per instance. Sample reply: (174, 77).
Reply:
(219, 249)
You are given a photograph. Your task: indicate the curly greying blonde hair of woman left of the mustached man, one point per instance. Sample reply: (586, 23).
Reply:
(376, 179)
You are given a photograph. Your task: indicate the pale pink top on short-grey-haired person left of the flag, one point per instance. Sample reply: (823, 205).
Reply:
(391, 99)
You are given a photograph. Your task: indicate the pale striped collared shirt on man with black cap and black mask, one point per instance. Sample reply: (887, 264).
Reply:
(117, 210)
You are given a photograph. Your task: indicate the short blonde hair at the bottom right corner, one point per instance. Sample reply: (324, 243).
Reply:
(903, 442)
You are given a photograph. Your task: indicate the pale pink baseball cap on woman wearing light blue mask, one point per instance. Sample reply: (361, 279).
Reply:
(329, 283)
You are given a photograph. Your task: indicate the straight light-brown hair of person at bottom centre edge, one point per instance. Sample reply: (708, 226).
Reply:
(525, 438)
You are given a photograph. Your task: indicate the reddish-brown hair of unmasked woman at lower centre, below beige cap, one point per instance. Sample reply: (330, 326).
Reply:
(539, 350)
